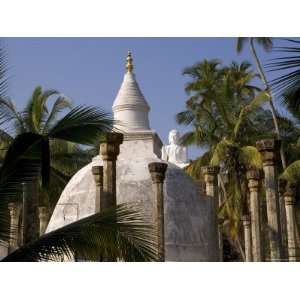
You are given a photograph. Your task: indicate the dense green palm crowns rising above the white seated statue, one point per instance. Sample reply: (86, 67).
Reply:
(210, 84)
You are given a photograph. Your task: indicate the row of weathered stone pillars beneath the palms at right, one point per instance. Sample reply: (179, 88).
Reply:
(280, 204)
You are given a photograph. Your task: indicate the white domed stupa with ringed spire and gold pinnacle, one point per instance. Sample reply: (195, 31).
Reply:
(189, 223)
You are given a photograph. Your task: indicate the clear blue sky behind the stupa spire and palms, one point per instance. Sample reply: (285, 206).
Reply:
(90, 70)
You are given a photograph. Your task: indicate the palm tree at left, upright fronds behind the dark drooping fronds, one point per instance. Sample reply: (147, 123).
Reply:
(65, 157)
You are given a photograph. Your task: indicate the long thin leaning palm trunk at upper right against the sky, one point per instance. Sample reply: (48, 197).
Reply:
(272, 108)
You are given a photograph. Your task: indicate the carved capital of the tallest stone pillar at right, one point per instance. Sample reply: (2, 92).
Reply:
(269, 149)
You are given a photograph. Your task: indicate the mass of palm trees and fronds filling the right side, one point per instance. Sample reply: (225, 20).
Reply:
(227, 110)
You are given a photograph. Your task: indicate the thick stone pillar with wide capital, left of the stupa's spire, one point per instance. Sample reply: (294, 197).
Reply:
(109, 151)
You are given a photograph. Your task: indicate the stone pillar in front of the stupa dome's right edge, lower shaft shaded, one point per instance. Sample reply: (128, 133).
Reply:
(211, 187)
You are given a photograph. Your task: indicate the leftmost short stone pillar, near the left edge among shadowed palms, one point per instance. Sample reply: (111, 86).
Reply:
(14, 212)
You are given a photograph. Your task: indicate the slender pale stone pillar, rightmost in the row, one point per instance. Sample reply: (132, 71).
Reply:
(289, 199)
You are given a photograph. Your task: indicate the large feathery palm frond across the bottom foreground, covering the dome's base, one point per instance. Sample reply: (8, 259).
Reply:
(116, 234)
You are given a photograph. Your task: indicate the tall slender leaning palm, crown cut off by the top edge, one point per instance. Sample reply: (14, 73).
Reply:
(267, 44)
